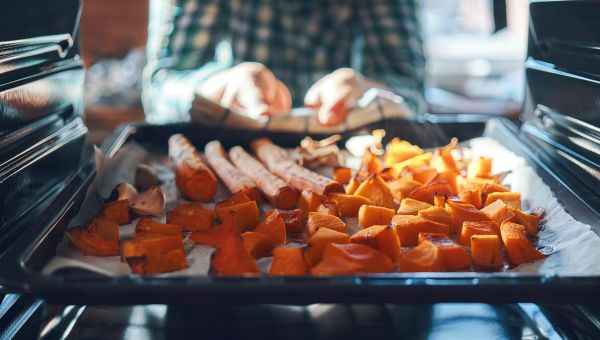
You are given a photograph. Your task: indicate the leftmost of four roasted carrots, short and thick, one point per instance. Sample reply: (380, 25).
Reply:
(193, 178)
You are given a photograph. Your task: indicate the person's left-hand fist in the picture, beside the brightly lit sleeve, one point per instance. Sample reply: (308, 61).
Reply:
(250, 88)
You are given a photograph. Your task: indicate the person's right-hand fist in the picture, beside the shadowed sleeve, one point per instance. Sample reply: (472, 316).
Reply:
(334, 95)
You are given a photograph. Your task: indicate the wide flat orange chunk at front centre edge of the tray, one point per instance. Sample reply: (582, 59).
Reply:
(370, 260)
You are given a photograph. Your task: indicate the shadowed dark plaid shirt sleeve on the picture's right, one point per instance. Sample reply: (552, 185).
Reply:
(393, 47)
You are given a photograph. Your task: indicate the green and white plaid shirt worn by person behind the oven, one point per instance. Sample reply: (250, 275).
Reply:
(299, 40)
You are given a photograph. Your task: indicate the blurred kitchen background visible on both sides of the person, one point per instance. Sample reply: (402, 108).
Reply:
(475, 51)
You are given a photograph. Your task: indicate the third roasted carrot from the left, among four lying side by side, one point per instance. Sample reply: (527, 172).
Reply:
(277, 192)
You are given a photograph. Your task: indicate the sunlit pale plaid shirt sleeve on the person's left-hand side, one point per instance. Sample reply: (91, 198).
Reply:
(182, 38)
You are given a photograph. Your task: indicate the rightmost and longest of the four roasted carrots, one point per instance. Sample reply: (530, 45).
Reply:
(297, 176)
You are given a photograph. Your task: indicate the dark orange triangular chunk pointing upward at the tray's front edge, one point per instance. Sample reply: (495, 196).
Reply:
(232, 259)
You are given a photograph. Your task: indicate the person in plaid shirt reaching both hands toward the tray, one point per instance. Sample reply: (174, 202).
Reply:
(264, 57)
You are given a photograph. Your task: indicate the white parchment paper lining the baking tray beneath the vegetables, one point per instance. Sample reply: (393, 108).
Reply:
(572, 246)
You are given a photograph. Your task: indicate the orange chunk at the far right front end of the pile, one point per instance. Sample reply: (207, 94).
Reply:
(517, 245)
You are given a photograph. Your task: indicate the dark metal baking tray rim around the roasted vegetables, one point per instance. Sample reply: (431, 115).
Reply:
(22, 262)
